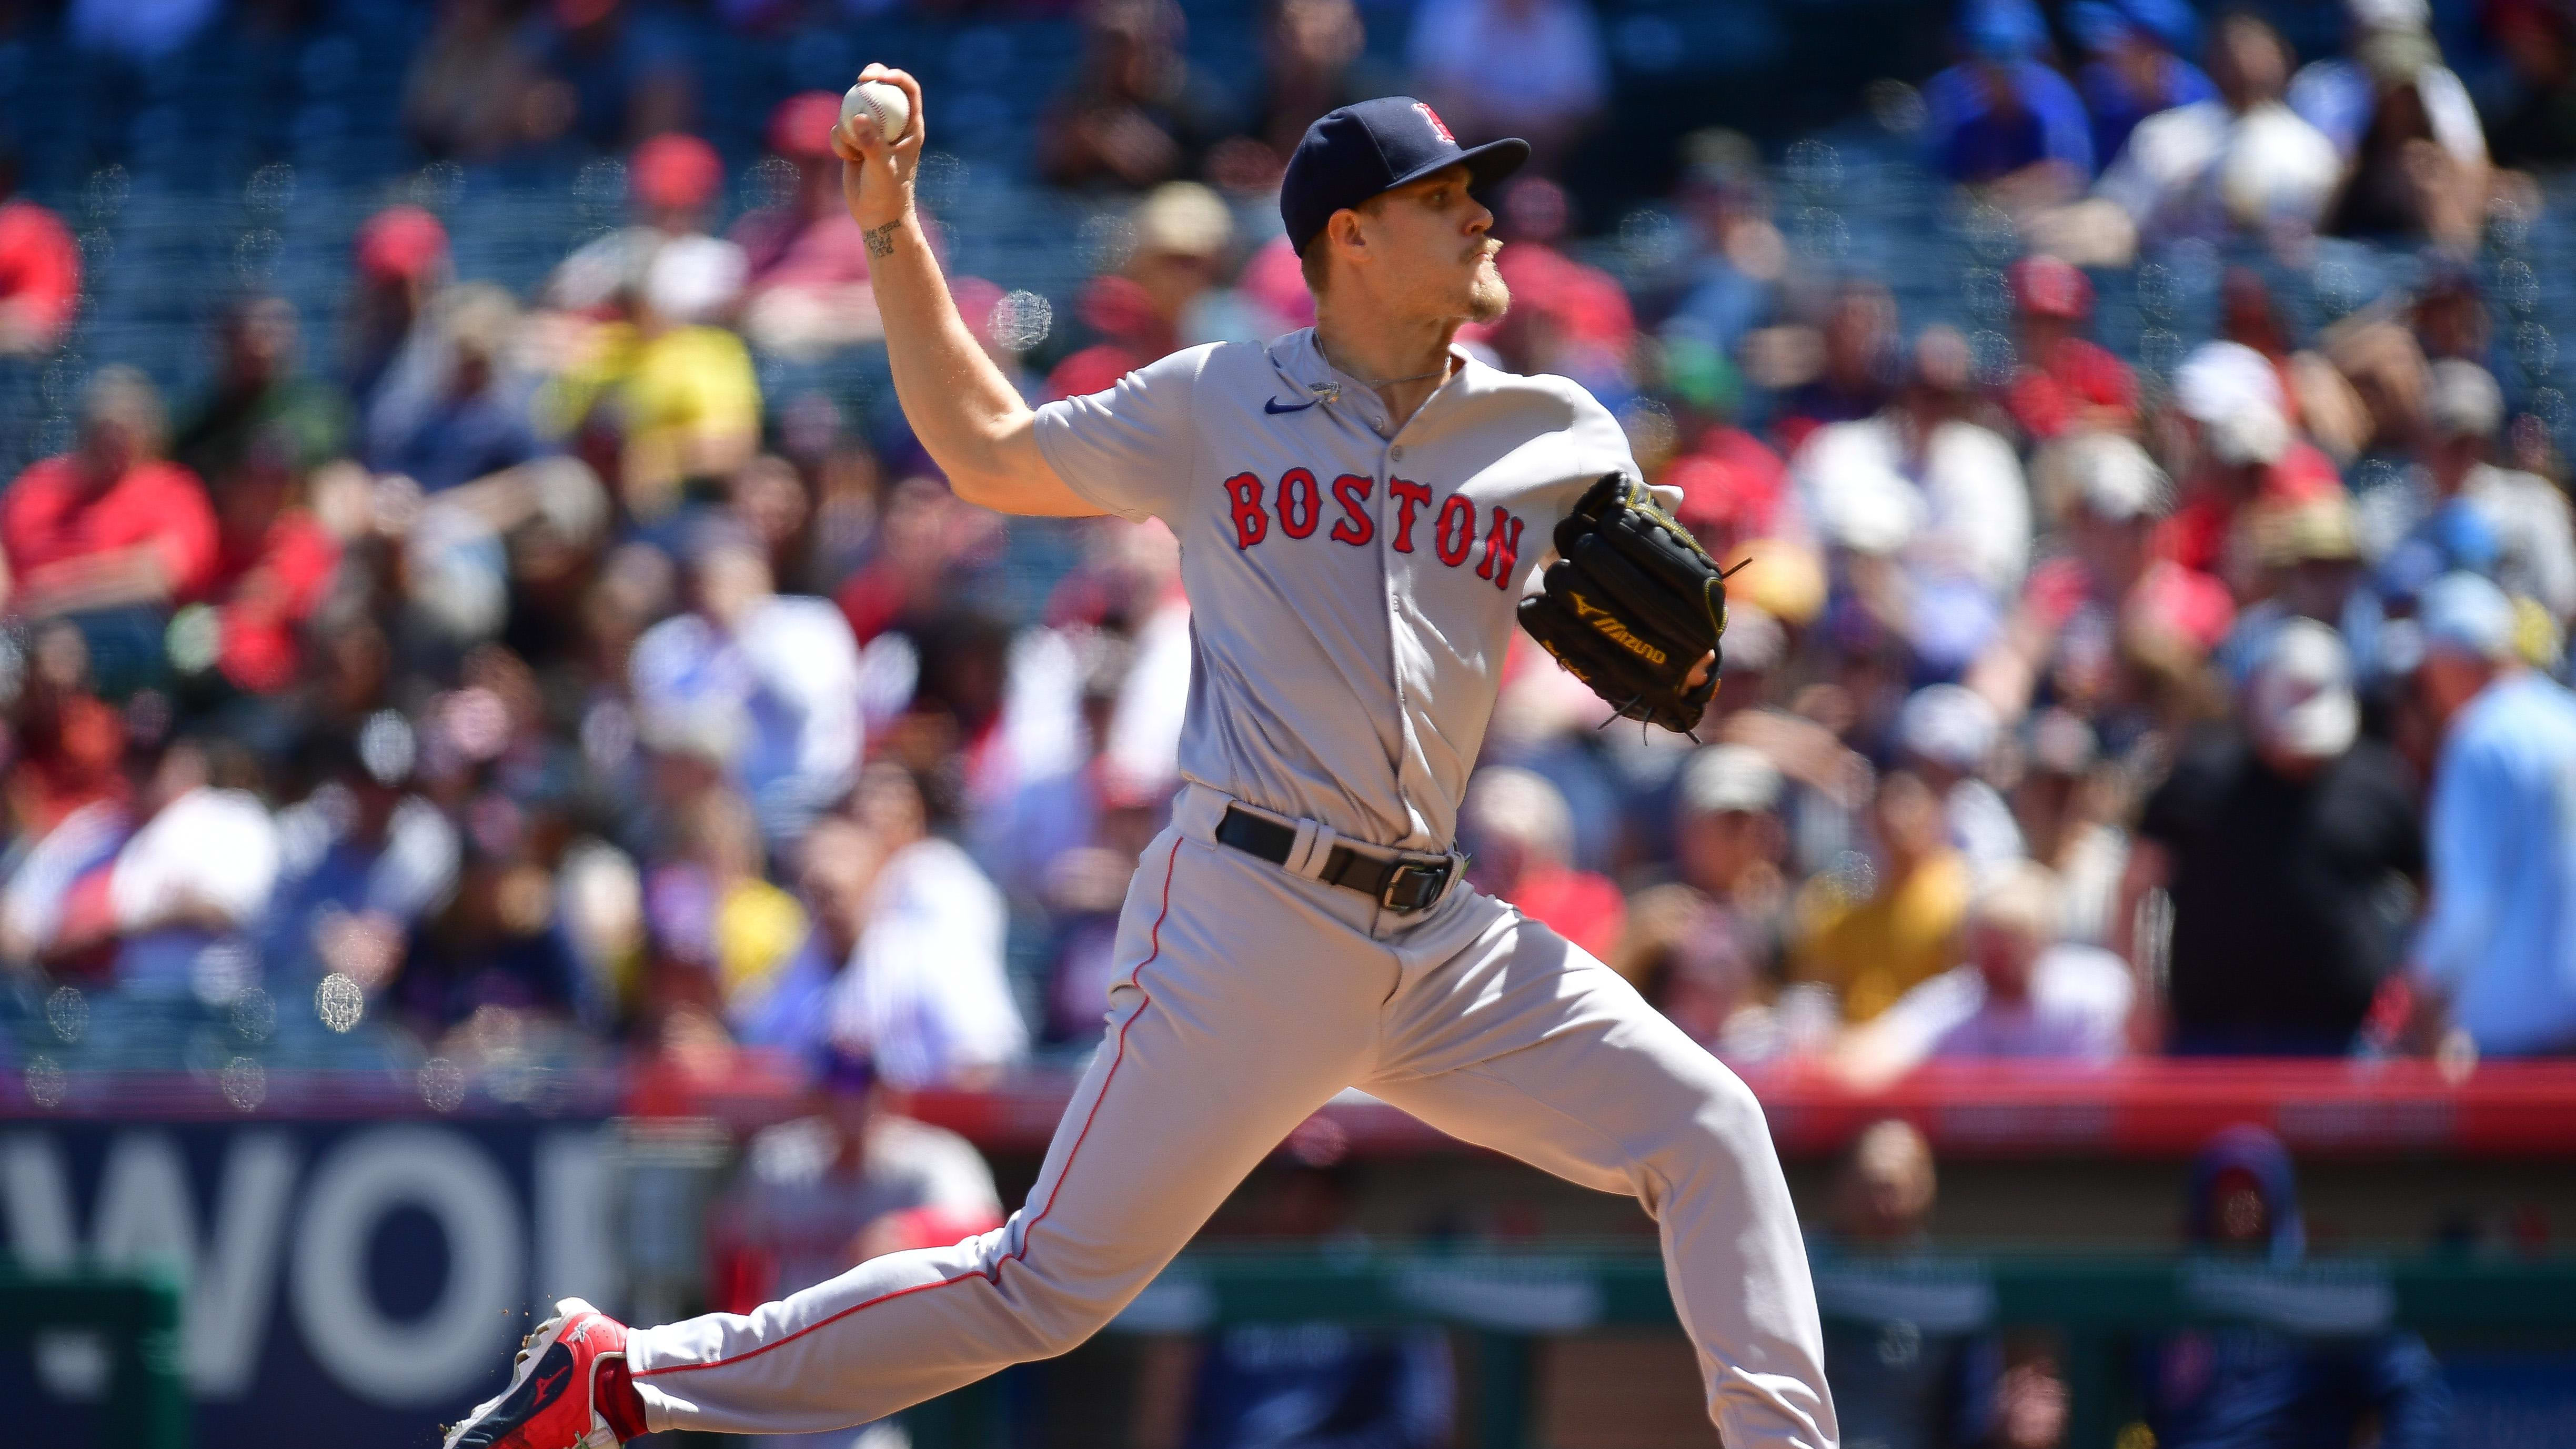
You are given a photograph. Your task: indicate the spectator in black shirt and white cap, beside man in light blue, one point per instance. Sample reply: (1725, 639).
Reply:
(2281, 842)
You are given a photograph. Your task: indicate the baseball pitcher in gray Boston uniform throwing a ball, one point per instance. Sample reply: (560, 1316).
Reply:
(1359, 509)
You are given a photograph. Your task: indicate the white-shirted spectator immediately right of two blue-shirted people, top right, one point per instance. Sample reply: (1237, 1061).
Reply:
(2240, 161)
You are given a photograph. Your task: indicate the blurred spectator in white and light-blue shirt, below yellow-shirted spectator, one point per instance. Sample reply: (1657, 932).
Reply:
(774, 674)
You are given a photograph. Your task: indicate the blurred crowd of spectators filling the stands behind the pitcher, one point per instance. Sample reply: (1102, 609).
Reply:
(524, 674)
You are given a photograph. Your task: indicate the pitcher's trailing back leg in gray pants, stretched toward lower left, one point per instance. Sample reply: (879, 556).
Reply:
(1238, 1025)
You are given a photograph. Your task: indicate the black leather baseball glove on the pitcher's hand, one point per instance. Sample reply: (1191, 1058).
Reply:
(1632, 605)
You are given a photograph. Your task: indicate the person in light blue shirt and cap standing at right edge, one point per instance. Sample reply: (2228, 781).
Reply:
(2497, 953)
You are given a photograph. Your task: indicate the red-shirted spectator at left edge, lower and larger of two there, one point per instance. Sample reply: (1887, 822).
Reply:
(107, 525)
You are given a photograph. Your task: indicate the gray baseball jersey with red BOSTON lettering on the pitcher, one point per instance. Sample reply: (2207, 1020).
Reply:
(1351, 592)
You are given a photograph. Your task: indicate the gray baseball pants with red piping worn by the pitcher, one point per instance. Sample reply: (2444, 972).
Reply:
(1248, 999)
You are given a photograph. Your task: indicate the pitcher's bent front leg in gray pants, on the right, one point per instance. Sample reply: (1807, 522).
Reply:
(1565, 1066)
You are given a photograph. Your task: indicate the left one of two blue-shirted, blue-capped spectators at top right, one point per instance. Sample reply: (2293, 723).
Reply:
(2000, 115)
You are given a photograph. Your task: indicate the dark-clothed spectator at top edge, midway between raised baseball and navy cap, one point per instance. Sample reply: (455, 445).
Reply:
(1132, 115)
